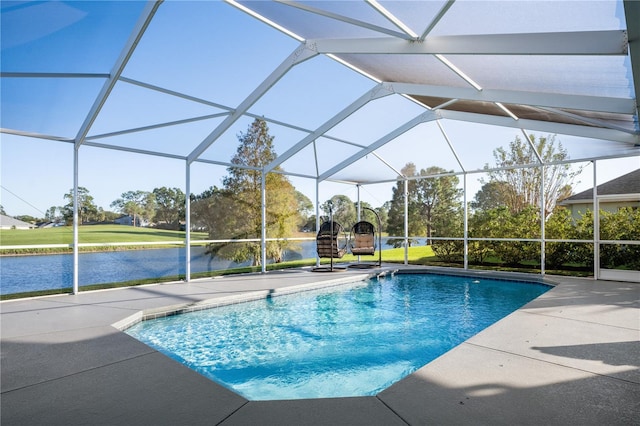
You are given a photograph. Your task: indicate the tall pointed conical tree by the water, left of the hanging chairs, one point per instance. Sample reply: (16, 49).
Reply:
(242, 194)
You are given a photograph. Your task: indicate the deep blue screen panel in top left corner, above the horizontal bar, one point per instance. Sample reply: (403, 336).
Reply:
(43, 36)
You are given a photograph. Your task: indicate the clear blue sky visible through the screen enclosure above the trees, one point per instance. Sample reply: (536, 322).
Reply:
(214, 52)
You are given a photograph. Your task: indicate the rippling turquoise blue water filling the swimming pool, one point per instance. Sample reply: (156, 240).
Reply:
(350, 340)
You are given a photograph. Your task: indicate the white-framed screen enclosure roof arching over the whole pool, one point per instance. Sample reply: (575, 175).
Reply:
(351, 90)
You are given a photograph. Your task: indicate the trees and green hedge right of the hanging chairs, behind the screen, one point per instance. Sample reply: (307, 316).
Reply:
(510, 205)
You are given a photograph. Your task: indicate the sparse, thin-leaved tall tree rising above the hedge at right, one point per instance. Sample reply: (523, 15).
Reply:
(524, 183)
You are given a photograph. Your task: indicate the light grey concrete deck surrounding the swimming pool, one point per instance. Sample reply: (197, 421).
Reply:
(572, 356)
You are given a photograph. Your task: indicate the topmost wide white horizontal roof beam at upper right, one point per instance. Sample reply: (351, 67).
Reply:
(613, 42)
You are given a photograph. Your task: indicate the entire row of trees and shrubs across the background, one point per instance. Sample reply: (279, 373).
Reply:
(508, 205)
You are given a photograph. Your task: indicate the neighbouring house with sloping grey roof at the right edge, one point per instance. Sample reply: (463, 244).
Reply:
(613, 195)
